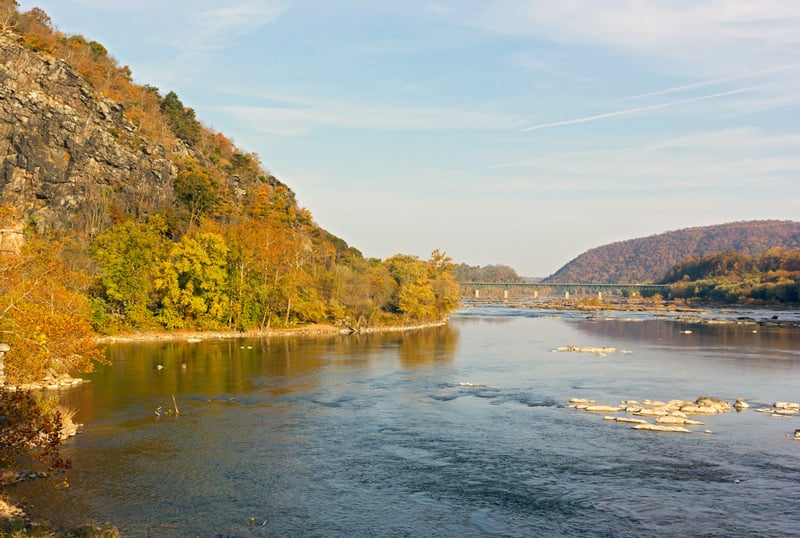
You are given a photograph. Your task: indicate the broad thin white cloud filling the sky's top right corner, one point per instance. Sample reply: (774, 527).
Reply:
(713, 36)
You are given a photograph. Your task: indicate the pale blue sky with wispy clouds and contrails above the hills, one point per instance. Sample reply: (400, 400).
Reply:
(506, 132)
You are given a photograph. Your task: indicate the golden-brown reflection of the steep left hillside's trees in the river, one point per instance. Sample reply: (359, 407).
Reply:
(144, 376)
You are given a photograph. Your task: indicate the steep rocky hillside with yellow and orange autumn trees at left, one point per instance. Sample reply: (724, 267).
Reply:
(119, 211)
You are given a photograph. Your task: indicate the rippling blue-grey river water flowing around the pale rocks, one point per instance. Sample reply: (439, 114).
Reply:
(454, 431)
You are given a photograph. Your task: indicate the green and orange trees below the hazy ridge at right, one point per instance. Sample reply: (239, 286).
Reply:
(772, 277)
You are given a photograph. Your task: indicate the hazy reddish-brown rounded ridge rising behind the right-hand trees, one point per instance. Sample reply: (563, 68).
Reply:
(648, 259)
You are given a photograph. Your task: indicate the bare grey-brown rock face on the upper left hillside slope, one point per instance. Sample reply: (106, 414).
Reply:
(65, 151)
